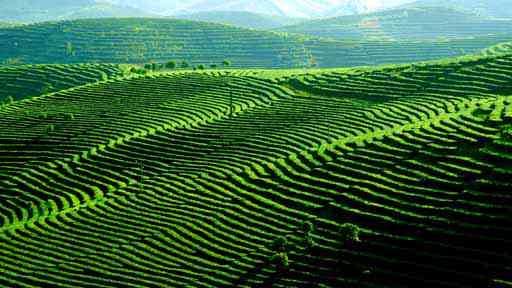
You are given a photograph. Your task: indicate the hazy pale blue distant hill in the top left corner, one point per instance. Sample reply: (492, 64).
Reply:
(48, 10)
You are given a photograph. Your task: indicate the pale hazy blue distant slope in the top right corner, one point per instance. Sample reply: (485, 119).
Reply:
(494, 8)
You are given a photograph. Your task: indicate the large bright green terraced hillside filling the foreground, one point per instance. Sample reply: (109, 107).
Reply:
(184, 180)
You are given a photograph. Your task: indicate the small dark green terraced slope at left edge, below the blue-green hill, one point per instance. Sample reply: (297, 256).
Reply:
(26, 81)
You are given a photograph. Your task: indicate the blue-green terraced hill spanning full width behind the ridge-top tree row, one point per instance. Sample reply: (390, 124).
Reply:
(160, 40)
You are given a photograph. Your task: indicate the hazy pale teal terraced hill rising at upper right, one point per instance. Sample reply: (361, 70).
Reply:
(427, 23)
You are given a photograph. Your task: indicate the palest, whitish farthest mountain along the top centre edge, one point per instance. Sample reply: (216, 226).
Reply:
(289, 8)
